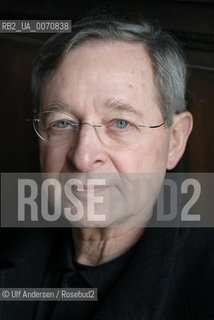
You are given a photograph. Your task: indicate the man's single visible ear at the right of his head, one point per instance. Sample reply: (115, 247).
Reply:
(179, 133)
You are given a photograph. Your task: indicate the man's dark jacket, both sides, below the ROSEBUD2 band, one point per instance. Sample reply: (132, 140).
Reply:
(170, 276)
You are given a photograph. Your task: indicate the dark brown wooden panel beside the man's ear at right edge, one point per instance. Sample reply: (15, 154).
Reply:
(200, 150)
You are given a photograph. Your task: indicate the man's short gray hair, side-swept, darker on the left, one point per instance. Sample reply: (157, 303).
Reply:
(165, 54)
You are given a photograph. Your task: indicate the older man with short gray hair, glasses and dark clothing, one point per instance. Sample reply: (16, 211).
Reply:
(110, 100)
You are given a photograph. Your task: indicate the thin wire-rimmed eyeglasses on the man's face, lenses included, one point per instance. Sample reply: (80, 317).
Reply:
(63, 128)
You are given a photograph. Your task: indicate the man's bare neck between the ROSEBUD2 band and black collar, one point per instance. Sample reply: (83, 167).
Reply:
(97, 246)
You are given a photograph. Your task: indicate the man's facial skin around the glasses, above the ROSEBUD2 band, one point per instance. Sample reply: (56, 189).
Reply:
(90, 76)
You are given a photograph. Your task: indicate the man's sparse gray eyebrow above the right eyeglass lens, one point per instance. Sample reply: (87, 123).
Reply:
(121, 105)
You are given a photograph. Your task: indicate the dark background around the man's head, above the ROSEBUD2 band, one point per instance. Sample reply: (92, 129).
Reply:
(191, 22)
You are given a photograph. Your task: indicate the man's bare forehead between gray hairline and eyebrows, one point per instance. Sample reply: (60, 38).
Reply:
(100, 70)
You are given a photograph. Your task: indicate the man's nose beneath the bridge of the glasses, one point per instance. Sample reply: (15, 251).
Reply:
(88, 153)
